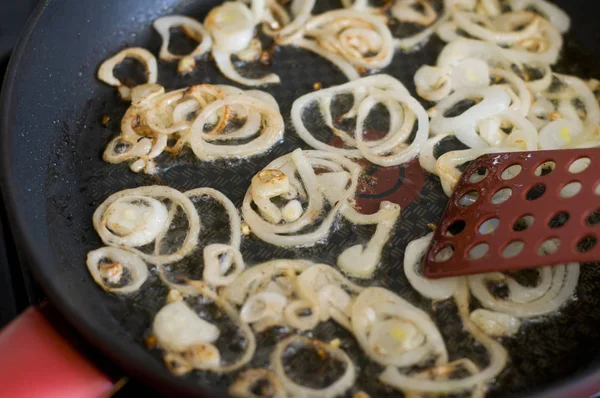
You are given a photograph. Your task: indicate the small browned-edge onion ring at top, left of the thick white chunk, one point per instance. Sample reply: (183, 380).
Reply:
(194, 29)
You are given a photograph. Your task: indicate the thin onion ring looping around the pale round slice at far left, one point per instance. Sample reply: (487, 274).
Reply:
(102, 214)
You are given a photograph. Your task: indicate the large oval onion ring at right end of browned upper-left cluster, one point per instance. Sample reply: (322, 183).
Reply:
(271, 132)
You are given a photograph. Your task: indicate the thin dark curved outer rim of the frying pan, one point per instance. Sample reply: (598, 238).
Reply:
(582, 383)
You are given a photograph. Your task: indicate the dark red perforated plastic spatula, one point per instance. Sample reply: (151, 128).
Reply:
(520, 210)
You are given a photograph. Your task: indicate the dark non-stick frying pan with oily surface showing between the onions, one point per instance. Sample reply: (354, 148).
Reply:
(53, 177)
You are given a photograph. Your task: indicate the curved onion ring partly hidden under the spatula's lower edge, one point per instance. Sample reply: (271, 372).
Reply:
(562, 287)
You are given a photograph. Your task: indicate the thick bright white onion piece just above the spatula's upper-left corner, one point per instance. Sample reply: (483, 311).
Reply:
(495, 100)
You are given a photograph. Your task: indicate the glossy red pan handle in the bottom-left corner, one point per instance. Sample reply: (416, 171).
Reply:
(36, 361)
